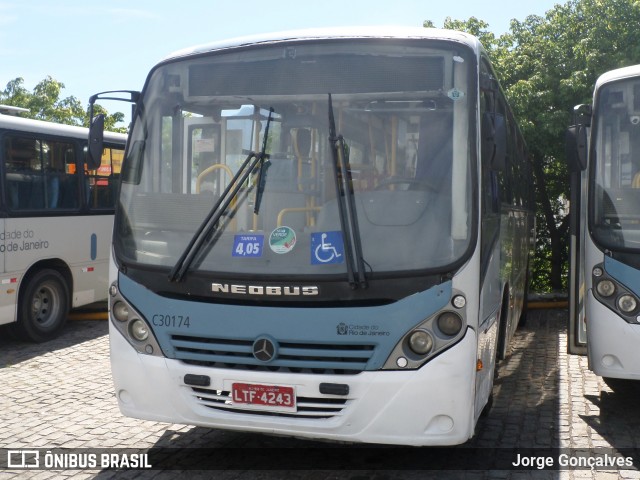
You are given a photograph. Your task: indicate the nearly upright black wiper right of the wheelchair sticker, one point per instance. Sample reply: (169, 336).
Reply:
(346, 206)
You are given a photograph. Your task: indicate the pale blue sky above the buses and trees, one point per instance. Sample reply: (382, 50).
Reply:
(92, 46)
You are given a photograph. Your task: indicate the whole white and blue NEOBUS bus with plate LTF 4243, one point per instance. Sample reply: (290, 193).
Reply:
(321, 234)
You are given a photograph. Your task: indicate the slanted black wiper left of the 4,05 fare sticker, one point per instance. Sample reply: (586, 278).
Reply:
(201, 237)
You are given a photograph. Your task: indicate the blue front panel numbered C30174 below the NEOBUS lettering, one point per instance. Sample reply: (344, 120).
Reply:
(367, 334)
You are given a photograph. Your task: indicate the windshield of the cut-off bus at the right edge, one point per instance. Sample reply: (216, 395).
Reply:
(615, 173)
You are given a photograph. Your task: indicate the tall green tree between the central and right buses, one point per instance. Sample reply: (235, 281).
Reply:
(547, 65)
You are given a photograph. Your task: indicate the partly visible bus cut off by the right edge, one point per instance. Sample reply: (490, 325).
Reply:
(604, 148)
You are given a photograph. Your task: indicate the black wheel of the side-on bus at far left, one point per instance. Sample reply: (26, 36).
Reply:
(43, 306)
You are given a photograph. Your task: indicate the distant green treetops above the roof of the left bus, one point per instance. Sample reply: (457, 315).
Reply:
(45, 103)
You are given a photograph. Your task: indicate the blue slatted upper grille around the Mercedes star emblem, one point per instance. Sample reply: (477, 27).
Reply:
(313, 358)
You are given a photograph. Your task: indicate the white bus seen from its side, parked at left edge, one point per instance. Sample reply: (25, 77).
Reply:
(56, 217)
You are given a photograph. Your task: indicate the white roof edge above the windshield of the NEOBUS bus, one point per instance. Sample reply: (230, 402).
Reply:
(390, 31)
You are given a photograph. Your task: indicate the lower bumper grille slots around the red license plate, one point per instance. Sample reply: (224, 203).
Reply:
(306, 407)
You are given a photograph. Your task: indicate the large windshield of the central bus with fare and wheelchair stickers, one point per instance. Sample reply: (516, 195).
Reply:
(402, 135)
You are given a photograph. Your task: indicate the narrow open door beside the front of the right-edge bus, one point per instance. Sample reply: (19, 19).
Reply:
(577, 147)
